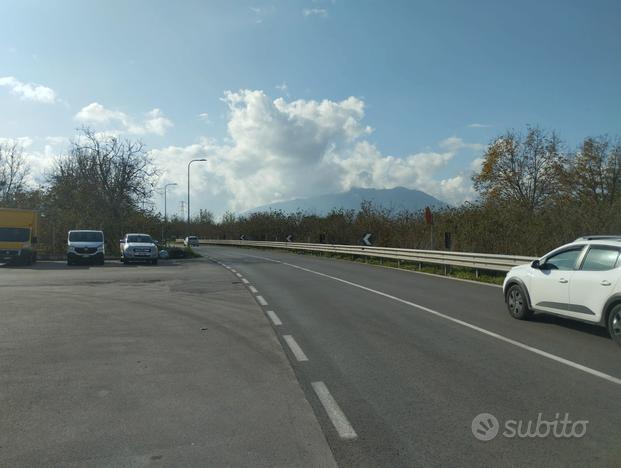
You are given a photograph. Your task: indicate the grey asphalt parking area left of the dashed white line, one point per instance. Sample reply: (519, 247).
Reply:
(131, 366)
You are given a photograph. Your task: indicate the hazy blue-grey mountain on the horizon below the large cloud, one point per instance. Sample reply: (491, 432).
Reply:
(398, 198)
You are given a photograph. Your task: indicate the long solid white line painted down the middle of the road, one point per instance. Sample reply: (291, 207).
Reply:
(553, 357)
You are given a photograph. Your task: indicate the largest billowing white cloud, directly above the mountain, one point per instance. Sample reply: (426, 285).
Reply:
(278, 149)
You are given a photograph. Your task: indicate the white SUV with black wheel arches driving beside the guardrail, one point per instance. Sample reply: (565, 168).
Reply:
(581, 281)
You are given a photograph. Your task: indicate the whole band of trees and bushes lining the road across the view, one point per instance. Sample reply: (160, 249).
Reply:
(534, 194)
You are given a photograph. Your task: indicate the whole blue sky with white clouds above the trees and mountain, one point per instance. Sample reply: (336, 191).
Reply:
(419, 75)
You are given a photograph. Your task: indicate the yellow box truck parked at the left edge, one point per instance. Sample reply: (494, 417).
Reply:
(18, 236)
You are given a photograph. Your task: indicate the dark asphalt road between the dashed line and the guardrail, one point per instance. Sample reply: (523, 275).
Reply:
(410, 359)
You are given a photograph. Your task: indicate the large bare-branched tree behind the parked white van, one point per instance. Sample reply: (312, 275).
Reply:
(103, 182)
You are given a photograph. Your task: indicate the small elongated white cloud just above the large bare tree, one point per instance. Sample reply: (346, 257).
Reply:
(154, 121)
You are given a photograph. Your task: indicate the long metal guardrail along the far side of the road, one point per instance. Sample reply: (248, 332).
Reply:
(476, 261)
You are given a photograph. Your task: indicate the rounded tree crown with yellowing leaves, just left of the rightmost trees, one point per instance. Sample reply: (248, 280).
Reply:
(521, 169)
